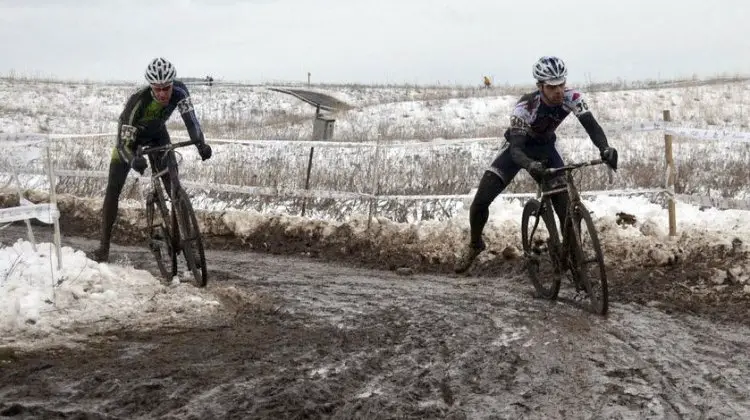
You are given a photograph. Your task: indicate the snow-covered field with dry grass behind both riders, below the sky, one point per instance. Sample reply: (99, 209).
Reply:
(417, 131)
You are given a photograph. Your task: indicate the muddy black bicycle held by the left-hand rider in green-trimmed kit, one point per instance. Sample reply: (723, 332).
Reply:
(172, 225)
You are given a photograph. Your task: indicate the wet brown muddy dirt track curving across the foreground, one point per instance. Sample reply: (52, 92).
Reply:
(327, 340)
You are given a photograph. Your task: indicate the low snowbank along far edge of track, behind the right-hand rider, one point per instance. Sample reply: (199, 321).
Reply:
(646, 242)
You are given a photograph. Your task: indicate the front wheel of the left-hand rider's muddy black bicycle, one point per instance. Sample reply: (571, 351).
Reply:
(191, 240)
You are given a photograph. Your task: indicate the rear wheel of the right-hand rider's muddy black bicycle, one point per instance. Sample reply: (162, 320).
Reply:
(541, 248)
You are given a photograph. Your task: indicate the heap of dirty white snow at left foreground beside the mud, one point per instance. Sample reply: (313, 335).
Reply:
(40, 304)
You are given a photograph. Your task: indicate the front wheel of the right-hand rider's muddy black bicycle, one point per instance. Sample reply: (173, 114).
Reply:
(589, 261)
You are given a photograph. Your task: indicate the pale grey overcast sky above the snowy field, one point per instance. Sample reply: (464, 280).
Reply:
(374, 41)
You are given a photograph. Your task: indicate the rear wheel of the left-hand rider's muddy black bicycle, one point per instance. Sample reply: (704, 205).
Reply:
(160, 236)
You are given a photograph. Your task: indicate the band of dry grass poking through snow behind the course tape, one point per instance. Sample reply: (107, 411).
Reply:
(438, 170)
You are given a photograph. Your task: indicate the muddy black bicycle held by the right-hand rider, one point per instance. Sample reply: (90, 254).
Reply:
(547, 260)
